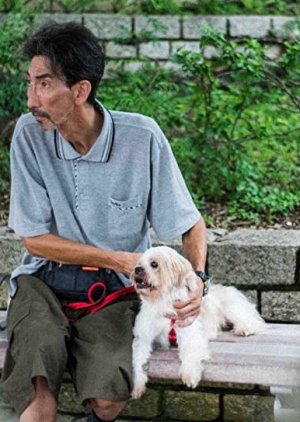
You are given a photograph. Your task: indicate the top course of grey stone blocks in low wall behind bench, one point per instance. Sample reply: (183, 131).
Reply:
(243, 257)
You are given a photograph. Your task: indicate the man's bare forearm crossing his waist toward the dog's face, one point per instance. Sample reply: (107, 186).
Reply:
(63, 251)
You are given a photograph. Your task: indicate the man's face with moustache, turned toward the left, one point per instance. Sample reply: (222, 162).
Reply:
(48, 97)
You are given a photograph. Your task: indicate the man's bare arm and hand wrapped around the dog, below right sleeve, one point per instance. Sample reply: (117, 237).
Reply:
(195, 249)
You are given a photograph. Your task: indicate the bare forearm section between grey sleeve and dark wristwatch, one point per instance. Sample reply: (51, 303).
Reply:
(195, 245)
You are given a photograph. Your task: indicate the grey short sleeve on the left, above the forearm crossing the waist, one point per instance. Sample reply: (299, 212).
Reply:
(30, 211)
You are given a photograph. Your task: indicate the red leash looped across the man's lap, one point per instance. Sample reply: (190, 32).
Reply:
(92, 305)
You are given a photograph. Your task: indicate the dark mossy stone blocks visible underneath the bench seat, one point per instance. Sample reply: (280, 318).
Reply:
(172, 402)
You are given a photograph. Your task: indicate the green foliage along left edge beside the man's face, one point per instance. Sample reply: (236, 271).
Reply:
(15, 27)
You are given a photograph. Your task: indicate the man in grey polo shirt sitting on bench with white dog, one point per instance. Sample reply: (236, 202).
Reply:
(86, 186)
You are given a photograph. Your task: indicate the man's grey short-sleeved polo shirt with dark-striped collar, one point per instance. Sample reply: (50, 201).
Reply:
(108, 198)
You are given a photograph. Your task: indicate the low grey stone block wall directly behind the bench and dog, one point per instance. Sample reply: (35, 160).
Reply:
(265, 264)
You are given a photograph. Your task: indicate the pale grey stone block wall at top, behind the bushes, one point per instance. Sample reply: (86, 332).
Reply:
(135, 39)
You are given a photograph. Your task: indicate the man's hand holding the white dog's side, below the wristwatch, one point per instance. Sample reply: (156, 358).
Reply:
(187, 312)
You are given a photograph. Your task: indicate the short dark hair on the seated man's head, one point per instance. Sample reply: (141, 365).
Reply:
(73, 51)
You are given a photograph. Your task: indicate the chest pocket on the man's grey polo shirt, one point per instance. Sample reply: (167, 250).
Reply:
(126, 218)
